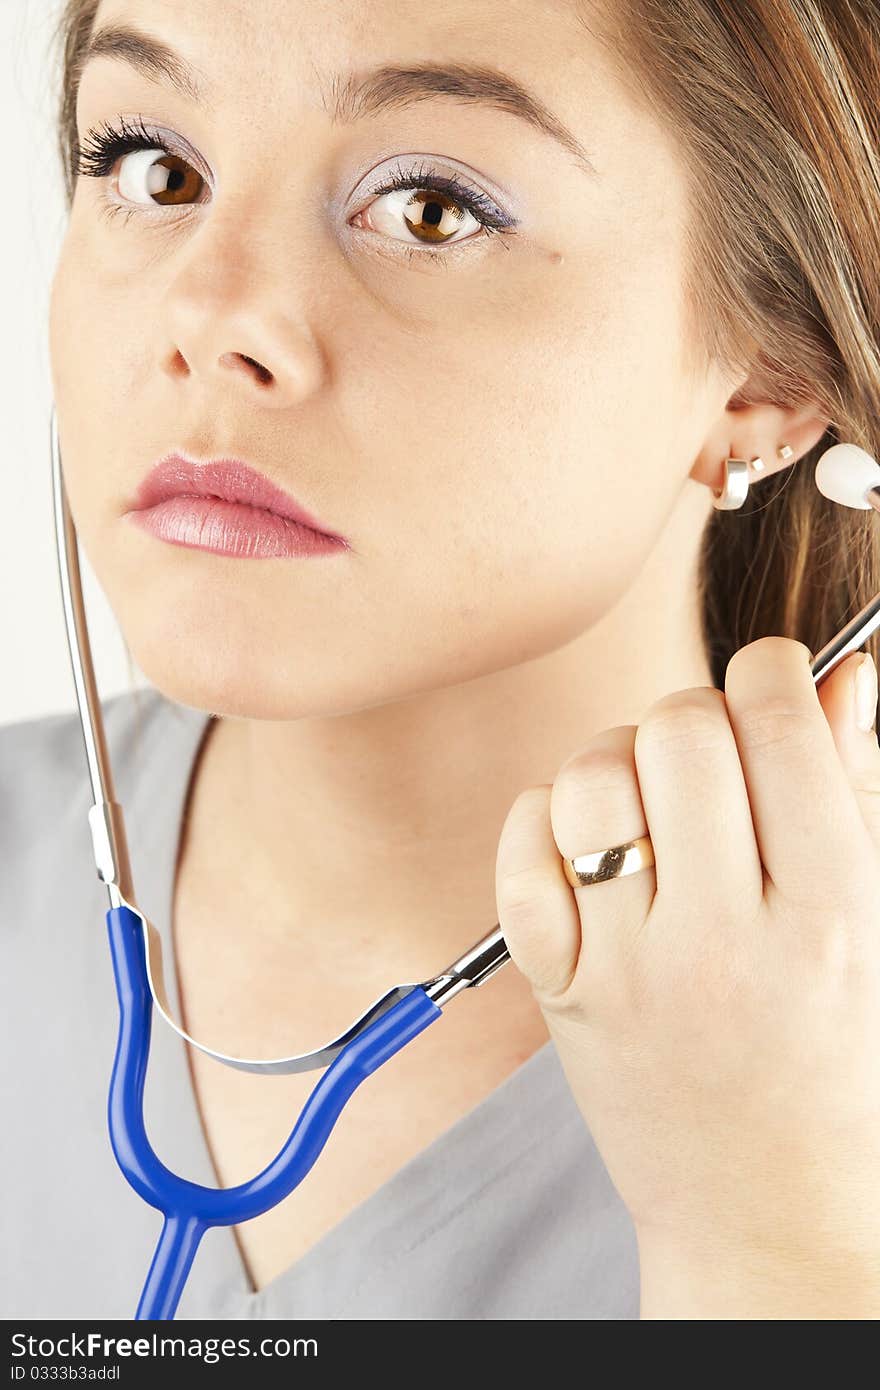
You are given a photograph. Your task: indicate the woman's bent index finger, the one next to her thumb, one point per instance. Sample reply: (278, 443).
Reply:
(810, 831)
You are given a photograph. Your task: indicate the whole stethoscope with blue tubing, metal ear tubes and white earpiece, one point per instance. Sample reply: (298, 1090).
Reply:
(845, 475)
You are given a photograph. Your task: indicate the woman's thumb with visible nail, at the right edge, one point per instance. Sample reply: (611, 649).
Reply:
(858, 749)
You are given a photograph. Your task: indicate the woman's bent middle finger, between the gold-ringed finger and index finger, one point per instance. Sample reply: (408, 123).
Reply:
(697, 803)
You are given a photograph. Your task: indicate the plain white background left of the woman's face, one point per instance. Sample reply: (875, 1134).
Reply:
(35, 673)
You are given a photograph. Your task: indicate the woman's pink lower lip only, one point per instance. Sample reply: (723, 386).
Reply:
(231, 529)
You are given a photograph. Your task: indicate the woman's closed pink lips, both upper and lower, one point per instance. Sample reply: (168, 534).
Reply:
(229, 508)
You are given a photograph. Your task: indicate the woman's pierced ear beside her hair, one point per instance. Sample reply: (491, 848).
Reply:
(750, 429)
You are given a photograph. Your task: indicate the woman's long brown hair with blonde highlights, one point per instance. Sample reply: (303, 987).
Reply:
(774, 105)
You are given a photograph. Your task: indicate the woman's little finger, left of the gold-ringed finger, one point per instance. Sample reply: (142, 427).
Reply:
(536, 908)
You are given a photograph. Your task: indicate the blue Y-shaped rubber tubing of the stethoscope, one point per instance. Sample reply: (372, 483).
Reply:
(190, 1209)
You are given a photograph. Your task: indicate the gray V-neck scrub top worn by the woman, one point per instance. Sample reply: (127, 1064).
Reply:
(508, 1214)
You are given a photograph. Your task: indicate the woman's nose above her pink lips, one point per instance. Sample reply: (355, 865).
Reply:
(241, 325)
